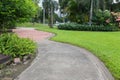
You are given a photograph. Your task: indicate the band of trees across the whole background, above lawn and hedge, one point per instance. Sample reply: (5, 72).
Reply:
(14, 11)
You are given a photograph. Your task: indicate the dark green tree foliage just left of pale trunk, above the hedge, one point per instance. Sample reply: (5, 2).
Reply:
(78, 10)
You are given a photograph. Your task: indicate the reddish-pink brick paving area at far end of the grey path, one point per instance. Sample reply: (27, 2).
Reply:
(32, 34)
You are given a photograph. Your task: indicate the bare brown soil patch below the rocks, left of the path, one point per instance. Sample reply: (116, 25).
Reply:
(11, 71)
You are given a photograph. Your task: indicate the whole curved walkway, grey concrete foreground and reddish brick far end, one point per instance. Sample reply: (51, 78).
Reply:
(59, 61)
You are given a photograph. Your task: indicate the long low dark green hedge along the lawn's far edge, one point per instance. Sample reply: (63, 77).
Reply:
(75, 26)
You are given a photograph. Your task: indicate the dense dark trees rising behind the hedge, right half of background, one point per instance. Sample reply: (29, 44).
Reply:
(79, 10)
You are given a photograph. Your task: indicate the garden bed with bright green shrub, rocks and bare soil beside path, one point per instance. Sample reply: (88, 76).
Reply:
(20, 54)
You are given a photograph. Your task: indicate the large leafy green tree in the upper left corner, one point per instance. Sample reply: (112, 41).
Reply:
(13, 11)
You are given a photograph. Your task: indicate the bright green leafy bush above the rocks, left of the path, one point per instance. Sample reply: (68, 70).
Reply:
(12, 45)
